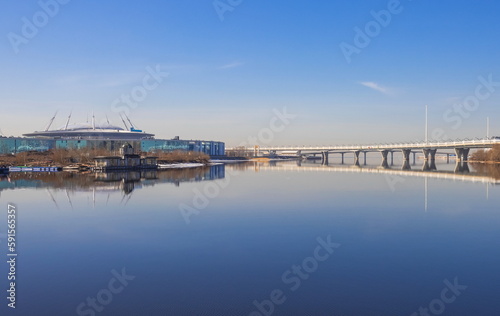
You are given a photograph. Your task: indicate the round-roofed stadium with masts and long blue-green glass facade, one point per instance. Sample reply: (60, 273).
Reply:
(103, 136)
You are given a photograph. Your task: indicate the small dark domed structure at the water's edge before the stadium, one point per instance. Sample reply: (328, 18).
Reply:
(127, 160)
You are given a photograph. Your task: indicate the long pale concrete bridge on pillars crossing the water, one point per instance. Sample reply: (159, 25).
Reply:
(460, 148)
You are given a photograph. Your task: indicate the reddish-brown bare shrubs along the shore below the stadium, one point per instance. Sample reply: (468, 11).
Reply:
(68, 157)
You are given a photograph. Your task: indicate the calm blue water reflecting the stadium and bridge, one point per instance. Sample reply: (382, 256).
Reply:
(399, 241)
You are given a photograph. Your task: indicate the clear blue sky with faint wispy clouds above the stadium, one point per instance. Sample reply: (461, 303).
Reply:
(226, 77)
